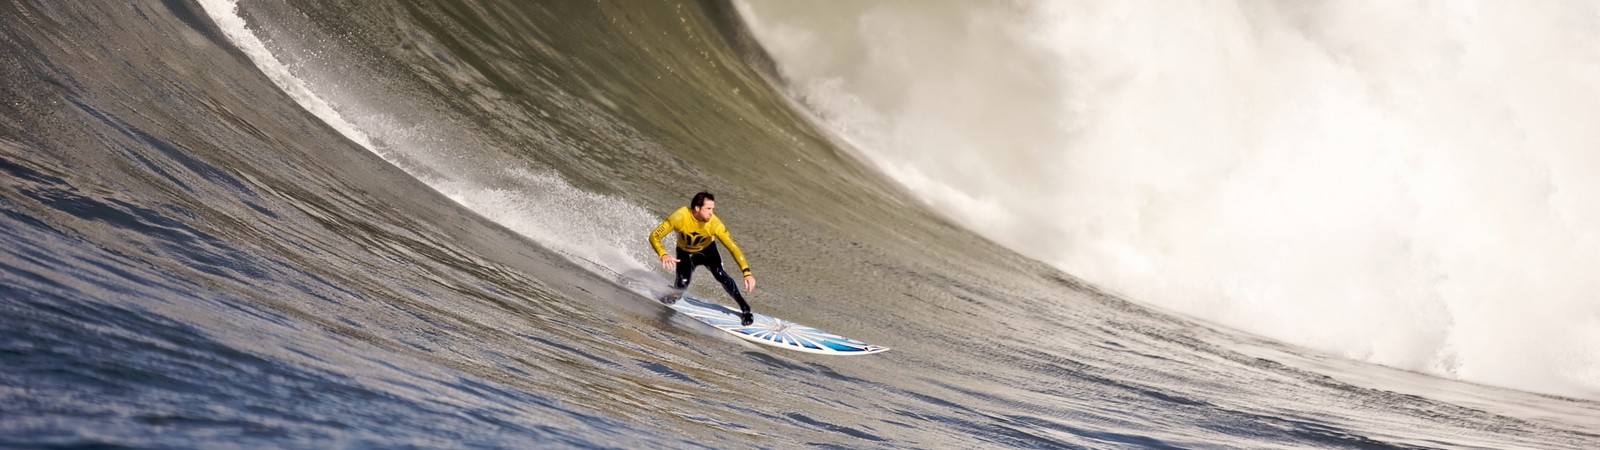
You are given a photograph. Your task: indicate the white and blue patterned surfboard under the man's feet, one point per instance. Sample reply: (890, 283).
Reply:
(772, 332)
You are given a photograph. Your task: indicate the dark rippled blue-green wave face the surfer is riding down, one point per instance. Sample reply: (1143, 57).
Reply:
(422, 225)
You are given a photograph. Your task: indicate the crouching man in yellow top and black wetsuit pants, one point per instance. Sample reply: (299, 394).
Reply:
(698, 230)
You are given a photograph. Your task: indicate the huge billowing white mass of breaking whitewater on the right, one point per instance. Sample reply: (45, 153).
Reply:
(1404, 183)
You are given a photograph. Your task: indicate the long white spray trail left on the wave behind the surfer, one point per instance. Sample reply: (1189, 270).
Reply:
(599, 233)
